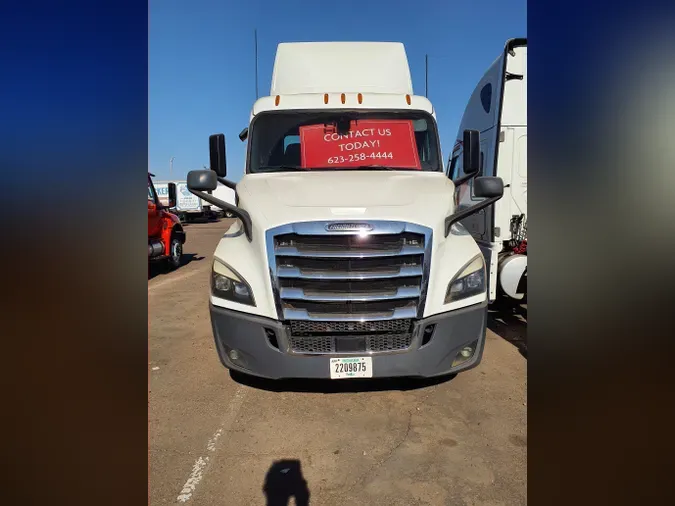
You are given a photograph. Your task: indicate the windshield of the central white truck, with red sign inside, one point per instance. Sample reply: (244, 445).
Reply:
(343, 140)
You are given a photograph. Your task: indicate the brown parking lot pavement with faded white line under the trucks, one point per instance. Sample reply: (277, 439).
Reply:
(217, 439)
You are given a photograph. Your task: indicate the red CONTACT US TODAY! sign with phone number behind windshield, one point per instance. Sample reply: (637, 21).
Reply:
(368, 142)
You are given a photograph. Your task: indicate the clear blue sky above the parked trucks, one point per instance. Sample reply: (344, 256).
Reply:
(202, 61)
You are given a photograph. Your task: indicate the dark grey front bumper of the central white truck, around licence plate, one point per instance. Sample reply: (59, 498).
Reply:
(258, 356)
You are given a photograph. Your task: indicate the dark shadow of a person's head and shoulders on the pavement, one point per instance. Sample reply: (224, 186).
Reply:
(284, 480)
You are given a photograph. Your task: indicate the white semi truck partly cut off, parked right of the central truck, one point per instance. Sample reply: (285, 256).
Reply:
(498, 110)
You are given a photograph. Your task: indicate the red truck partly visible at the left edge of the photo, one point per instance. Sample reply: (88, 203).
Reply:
(165, 233)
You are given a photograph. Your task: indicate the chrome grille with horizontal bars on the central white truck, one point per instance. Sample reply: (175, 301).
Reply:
(324, 276)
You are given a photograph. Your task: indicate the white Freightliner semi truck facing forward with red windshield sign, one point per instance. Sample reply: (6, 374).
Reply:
(347, 259)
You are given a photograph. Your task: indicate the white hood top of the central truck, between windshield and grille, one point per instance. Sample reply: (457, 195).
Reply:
(425, 198)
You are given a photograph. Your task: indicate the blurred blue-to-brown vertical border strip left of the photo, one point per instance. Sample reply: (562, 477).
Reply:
(73, 157)
